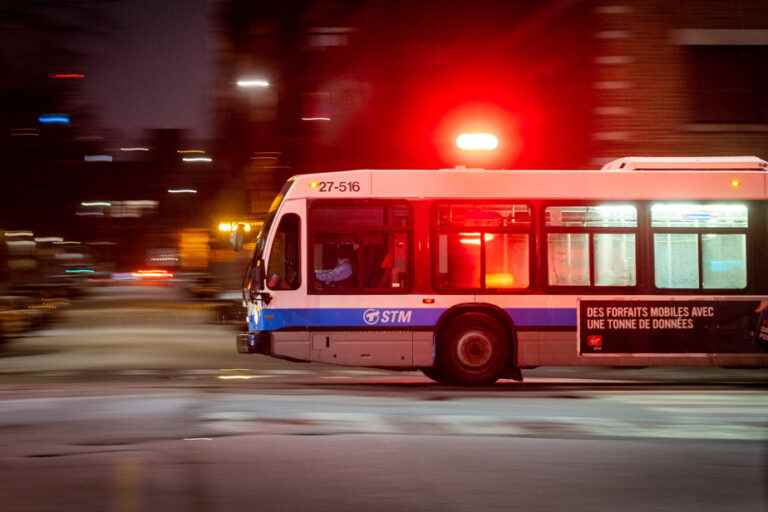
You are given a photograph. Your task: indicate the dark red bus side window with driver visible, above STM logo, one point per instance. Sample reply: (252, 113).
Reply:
(360, 247)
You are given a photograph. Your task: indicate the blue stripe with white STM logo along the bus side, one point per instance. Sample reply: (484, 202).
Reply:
(274, 319)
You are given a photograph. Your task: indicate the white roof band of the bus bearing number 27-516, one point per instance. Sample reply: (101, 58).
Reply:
(695, 184)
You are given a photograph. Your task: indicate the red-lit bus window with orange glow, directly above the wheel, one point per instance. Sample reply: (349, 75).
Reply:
(483, 246)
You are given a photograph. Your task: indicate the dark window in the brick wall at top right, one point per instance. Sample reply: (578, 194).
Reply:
(728, 84)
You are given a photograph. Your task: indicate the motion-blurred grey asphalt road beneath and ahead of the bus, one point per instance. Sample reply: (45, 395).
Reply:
(135, 401)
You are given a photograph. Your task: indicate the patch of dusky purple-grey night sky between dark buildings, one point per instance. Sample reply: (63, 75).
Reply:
(155, 69)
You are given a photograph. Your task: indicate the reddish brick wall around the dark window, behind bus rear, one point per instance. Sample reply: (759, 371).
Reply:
(643, 101)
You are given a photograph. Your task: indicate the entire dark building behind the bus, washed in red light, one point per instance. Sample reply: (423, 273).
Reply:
(565, 84)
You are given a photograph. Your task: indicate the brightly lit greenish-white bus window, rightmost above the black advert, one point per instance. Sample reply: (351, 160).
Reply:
(700, 245)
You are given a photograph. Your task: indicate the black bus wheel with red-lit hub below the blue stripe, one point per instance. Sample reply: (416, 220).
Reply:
(473, 350)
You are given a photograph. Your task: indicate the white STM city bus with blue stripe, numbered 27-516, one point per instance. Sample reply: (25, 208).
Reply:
(472, 275)
